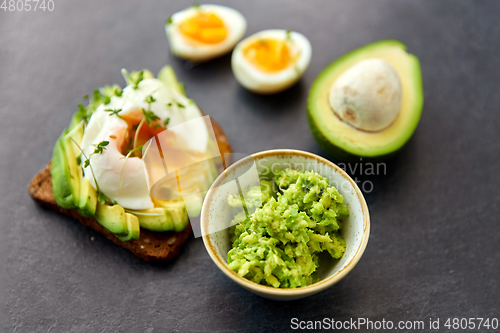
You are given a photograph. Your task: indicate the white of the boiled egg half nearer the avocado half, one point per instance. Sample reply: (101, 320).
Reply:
(253, 79)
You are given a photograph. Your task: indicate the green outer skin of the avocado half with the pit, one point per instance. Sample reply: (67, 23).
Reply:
(343, 155)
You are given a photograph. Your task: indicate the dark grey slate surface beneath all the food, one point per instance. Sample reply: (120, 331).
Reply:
(435, 232)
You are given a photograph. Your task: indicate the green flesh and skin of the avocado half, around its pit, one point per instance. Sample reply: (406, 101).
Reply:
(344, 142)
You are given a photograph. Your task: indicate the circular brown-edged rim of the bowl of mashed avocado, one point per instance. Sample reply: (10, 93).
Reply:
(278, 292)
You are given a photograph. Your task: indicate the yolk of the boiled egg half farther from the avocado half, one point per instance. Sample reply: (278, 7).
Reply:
(204, 27)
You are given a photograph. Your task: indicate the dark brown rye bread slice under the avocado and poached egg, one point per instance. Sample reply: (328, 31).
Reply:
(153, 247)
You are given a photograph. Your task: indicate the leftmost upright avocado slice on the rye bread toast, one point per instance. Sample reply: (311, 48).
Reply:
(61, 177)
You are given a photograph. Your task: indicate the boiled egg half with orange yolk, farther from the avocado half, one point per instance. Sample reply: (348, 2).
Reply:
(204, 32)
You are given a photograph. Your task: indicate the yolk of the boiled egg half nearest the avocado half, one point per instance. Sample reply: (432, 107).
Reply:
(269, 55)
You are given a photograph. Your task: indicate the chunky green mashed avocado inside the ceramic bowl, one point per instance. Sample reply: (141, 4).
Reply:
(278, 244)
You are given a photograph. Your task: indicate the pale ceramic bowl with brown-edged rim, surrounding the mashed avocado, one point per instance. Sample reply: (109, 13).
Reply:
(216, 215)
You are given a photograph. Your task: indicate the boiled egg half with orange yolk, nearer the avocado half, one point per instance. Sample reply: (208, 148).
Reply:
(271, 61)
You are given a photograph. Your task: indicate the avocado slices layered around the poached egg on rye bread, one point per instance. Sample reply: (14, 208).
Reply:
(73, 191)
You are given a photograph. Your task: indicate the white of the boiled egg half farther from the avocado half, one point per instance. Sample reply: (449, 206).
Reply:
(184, 48)
